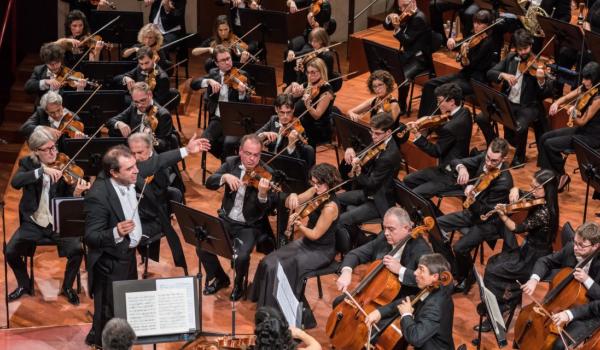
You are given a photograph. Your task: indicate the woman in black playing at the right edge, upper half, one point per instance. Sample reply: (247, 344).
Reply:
(585, 119)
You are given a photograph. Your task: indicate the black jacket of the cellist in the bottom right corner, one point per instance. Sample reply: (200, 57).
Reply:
(566, 258)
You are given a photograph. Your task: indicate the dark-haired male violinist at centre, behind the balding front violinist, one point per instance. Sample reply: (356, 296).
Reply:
(285, 120)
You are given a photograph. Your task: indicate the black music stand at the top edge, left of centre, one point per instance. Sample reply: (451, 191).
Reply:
(277, 27)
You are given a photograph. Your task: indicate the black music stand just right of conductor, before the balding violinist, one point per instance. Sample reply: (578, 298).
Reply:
(205, 232)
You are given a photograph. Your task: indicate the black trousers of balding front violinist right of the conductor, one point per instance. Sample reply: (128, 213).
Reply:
(247, 234)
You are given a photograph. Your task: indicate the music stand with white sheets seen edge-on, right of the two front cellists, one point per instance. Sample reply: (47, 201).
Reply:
(492, 310)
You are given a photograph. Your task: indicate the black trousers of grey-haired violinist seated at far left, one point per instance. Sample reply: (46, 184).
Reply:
(23, 243)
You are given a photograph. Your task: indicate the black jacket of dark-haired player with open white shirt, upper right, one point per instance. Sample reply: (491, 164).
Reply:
(531, 91)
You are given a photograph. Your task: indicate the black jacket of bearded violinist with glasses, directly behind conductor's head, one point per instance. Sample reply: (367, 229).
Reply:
(130, 116)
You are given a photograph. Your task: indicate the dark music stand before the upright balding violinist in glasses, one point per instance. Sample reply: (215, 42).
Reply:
(241, 118)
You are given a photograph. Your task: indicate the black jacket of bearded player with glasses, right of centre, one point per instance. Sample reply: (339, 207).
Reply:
(496, 192)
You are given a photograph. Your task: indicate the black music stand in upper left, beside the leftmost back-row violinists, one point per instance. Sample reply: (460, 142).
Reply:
(104, 72)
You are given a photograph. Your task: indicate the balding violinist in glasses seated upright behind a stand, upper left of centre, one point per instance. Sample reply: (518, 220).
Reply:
(221, 89)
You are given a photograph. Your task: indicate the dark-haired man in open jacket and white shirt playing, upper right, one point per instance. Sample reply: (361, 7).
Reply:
(525, 93)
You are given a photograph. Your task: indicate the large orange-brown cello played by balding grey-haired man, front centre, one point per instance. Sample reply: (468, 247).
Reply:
(346, 326)
